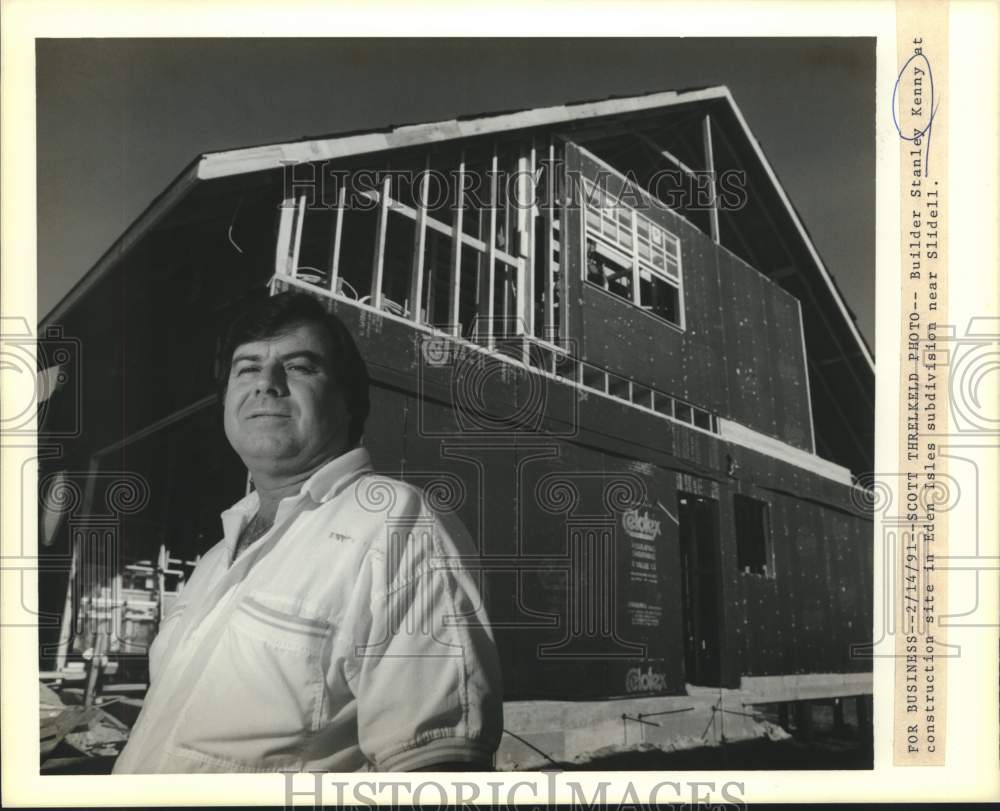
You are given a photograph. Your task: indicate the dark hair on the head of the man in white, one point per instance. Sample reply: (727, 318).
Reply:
(277, 315)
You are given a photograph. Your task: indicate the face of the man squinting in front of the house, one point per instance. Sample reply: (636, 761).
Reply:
(284, 413)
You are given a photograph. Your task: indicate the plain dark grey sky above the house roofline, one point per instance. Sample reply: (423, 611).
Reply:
(118, 119)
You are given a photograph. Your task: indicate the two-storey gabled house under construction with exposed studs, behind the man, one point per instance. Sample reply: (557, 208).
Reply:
(599, 332)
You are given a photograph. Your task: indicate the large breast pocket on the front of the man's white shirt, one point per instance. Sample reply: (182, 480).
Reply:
(261, 694)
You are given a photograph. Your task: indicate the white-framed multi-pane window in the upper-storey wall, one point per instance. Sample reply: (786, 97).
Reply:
(629, 255)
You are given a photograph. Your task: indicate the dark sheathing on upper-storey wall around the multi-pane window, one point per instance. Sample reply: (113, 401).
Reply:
(726, 359)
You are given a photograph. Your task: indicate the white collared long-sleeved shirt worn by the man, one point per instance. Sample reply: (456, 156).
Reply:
(348, 637)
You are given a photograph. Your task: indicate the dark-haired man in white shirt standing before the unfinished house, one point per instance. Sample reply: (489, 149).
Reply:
(334, 626)
